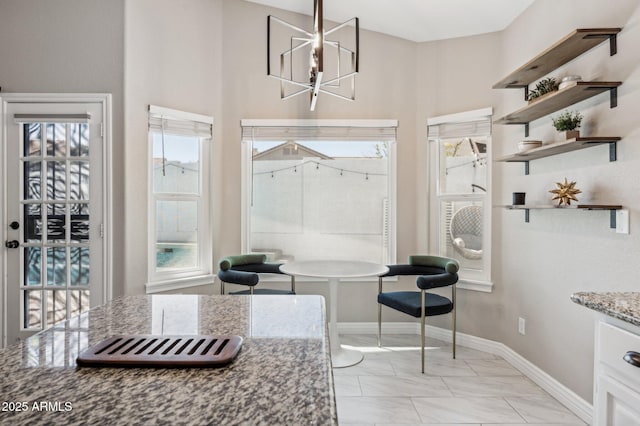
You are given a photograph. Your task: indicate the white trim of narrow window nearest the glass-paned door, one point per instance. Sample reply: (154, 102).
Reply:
(186, 277)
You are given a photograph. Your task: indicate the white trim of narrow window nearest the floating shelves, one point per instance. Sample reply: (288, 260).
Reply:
(469, 280)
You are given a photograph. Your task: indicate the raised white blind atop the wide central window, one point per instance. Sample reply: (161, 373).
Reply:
(376, 130)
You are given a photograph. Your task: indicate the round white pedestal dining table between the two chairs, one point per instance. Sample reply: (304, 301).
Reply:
(334, 271)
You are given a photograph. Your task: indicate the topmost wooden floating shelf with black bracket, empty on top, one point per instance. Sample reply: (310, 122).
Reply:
(568, 48)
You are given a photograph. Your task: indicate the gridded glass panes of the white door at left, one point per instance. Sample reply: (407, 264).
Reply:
(55, 283)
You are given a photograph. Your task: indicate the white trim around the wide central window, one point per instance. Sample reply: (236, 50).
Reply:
(246, 171)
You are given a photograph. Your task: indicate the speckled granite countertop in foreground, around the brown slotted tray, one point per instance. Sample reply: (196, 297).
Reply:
(282, 375)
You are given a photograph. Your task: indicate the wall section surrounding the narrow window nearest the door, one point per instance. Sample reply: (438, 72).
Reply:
(172, 59)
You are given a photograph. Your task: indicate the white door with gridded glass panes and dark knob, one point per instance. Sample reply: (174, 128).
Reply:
(54, 207)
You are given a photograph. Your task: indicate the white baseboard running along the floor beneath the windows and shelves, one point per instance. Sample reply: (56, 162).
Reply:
(563, 394)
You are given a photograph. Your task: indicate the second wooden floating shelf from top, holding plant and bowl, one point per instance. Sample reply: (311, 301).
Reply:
(560, 99)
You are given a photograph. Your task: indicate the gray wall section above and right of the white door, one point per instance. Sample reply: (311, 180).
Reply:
(70, 46)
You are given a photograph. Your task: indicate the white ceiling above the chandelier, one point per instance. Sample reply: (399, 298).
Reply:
(416, 20)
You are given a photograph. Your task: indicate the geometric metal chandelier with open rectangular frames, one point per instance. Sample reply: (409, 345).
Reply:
(315, 62)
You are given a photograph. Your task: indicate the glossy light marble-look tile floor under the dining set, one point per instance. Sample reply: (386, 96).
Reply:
(475, 389)
